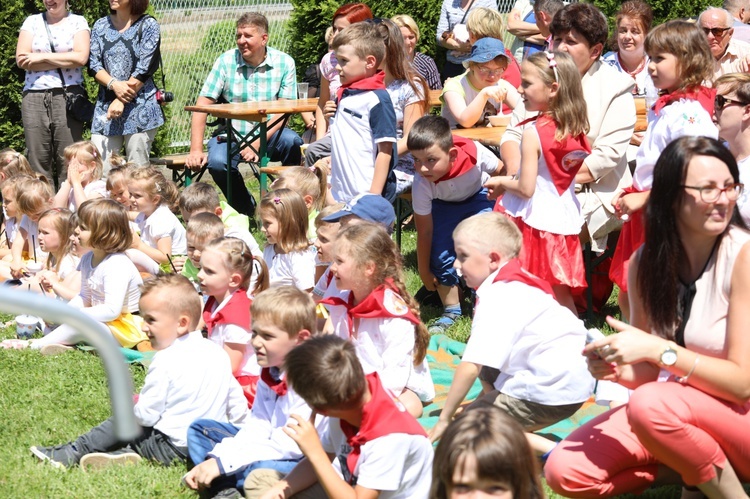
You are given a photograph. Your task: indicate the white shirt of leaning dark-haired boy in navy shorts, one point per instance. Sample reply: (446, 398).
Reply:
(456, 189)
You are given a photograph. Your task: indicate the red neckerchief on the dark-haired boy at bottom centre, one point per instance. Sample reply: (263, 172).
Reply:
(380, 417)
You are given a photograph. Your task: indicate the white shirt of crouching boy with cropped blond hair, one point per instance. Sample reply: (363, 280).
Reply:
(534, 341)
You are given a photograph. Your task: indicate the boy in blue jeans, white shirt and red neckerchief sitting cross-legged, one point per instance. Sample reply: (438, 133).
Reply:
(224, 453)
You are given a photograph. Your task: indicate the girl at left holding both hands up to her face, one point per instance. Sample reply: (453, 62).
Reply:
(84, 166)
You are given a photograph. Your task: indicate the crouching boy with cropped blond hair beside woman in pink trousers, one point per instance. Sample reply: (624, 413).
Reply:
(518, 329)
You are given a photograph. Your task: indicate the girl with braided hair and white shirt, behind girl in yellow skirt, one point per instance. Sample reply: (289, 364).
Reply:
(154, 198)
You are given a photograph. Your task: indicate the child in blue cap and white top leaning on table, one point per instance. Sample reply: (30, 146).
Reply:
(469, 98)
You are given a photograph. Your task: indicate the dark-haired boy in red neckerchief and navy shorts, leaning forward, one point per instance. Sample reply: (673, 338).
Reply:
(448, 188)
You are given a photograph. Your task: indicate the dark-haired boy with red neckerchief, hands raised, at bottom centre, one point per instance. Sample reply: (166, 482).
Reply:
(376, 447)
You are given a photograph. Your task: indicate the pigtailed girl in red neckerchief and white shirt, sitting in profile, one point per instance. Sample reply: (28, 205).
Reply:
(225, 274)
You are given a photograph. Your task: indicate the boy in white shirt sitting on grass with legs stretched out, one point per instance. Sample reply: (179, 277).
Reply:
(189, 378)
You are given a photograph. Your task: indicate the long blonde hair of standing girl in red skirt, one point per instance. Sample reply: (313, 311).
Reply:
(568, 106)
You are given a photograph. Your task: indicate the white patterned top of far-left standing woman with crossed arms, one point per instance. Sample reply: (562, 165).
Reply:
(63, 34)
